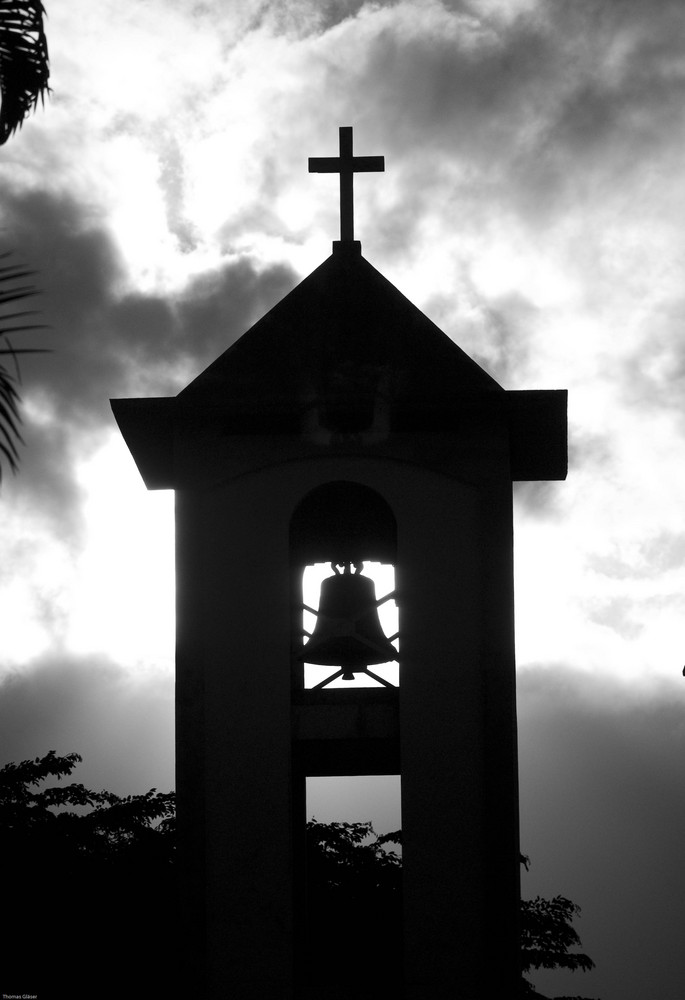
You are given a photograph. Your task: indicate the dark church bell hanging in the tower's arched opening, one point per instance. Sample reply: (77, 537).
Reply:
(348, 632)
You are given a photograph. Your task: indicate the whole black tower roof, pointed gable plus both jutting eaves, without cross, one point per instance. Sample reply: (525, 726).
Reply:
(344, 344)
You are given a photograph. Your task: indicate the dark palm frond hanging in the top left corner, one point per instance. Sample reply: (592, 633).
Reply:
(24, 63)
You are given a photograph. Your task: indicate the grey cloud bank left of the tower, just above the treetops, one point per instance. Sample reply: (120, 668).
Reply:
(122, 727)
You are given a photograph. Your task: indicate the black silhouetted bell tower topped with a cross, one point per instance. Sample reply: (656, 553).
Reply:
(344, 430)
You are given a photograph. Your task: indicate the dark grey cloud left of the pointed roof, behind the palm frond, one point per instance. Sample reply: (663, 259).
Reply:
(107, 341)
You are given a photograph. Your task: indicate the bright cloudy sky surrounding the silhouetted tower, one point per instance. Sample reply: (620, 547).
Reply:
(533, 207)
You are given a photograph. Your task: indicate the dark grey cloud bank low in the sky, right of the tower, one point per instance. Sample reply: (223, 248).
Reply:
(603, 819)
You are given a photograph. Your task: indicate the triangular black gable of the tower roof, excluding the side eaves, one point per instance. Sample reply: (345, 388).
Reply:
(343, 321)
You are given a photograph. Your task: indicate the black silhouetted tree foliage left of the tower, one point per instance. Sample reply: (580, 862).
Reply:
(88, 885)
